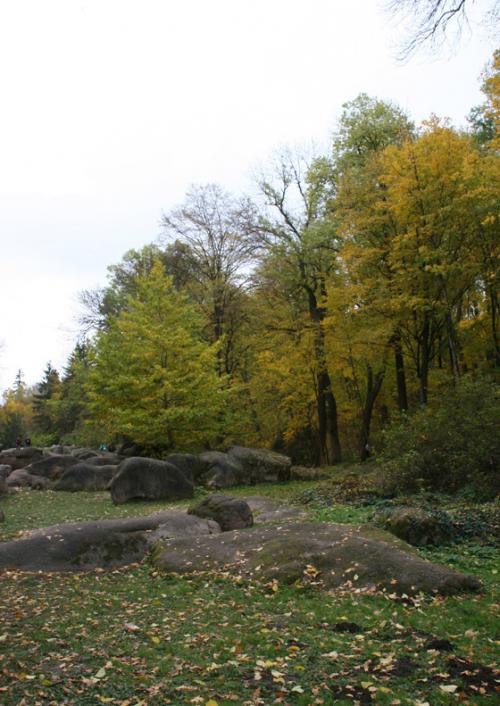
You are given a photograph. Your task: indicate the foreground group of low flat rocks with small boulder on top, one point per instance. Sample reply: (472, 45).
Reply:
(248, 538)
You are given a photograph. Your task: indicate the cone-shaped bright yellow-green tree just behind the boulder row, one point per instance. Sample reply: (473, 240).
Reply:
(153, 379)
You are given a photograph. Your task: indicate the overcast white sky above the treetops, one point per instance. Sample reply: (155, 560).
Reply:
(111, 108)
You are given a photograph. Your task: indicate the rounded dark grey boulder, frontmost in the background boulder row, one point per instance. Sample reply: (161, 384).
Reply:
(149, 479)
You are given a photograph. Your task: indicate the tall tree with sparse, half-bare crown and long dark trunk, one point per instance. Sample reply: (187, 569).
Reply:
(293, 232)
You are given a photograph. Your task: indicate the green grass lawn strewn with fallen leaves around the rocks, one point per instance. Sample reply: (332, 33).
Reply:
(134, 636)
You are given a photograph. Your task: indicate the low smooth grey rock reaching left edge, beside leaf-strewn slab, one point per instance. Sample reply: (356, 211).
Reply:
(105, 543)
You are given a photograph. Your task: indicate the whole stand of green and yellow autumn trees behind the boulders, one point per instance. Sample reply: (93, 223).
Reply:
(347, 308)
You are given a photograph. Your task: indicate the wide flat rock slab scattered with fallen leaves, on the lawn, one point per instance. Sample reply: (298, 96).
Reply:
(343, 555)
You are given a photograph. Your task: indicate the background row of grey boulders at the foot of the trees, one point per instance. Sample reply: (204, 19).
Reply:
(75, 469)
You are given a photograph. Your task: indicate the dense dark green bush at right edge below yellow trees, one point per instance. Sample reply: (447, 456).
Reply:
(448, 446)
